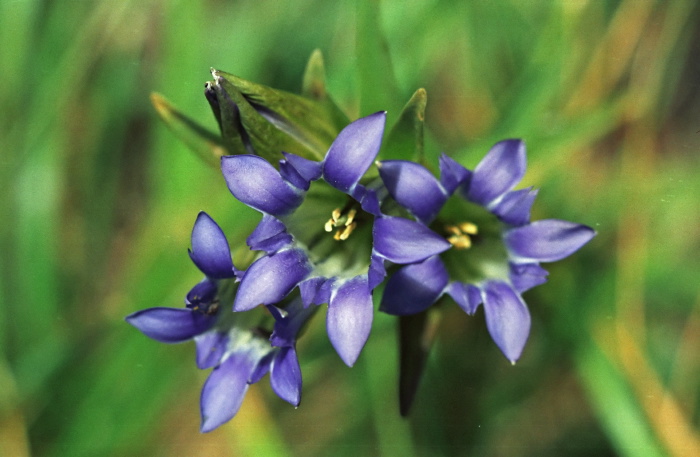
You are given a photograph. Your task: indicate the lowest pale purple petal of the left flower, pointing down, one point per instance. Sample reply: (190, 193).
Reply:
(223, 392)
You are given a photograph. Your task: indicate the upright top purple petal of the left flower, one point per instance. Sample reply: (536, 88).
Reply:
(210, 250)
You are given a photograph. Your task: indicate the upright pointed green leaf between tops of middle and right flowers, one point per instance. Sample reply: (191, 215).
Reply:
(405, 140)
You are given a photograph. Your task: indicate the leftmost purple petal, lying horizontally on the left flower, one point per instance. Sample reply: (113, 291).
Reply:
(171, 325)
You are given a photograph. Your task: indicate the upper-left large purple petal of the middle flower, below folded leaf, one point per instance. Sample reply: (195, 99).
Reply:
(253, 181)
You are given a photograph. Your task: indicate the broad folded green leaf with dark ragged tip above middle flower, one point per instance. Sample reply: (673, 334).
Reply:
(269, 121)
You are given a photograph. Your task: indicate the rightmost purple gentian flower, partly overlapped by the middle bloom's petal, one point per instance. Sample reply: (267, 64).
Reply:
(496, 251)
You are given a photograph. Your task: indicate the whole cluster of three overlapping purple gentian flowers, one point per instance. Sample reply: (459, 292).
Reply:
(333, 227)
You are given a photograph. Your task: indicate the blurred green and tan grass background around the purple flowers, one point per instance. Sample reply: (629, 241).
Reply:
(99, 199)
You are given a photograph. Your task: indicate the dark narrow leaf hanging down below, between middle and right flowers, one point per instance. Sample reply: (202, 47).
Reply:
(416, 336)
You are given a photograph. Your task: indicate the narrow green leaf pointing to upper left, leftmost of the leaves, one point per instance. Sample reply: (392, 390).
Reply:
(205, 143)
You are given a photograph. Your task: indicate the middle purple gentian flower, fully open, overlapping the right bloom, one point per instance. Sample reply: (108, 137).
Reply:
(322, 230)
